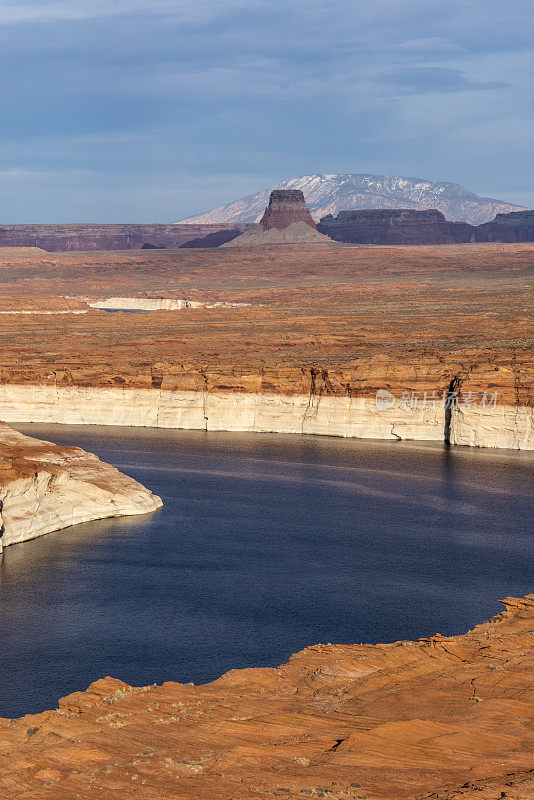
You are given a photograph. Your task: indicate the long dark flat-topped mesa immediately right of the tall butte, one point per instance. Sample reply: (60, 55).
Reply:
(399, 226)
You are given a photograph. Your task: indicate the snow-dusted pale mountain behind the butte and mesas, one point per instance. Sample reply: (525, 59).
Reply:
(328, 194)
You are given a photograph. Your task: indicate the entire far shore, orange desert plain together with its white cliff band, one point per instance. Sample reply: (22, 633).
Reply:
(316, 333)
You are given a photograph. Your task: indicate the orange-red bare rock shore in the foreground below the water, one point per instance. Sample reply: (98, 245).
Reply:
(447, 718)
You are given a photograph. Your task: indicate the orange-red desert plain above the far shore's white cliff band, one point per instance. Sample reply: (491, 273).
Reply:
(334, 321)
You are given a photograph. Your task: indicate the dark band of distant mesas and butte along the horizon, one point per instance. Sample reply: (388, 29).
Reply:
(364, 226)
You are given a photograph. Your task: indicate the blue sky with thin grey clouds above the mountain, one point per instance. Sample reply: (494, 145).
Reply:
(137, 111)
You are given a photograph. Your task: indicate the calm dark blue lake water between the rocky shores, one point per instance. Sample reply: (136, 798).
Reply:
(265, 544)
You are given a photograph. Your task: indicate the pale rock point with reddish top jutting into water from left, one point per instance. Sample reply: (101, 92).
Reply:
(44, 488)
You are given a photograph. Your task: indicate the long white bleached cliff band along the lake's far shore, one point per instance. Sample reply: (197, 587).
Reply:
(503, 426)
